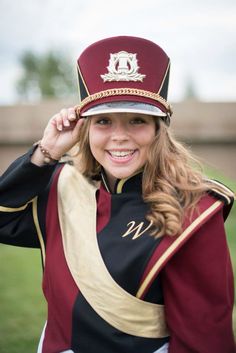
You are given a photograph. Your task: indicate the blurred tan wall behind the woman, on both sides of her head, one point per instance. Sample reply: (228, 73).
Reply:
(208, 128)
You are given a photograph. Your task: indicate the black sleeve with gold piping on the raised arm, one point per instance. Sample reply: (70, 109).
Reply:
(21, 187)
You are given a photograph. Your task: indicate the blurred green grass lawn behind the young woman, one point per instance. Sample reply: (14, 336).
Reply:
(22, 306)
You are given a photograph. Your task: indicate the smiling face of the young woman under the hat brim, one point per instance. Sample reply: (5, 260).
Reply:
(120, 142)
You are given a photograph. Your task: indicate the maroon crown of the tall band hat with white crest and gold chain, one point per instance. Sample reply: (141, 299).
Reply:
(123, 68)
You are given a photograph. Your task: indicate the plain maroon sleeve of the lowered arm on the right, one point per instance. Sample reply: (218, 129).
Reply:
(198, 291)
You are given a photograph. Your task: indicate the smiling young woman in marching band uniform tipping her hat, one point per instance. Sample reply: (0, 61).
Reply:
(132, 236)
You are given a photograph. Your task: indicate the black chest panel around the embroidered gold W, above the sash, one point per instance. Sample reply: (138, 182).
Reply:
(126, 257)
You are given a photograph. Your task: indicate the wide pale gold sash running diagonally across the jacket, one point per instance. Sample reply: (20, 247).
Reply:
(77, 215)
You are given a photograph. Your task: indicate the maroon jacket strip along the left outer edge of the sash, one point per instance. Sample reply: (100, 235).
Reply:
(59, 287)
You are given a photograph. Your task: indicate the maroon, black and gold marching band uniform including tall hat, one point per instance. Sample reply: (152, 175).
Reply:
(110, 286)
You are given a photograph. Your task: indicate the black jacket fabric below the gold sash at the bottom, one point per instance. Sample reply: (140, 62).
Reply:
(105, 338)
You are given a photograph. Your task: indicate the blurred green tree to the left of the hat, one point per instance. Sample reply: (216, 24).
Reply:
(48, 75)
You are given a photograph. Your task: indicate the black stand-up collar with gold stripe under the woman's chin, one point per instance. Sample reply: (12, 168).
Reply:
(127, 185)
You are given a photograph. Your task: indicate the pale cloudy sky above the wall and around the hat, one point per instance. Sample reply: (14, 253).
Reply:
(198, 36)
